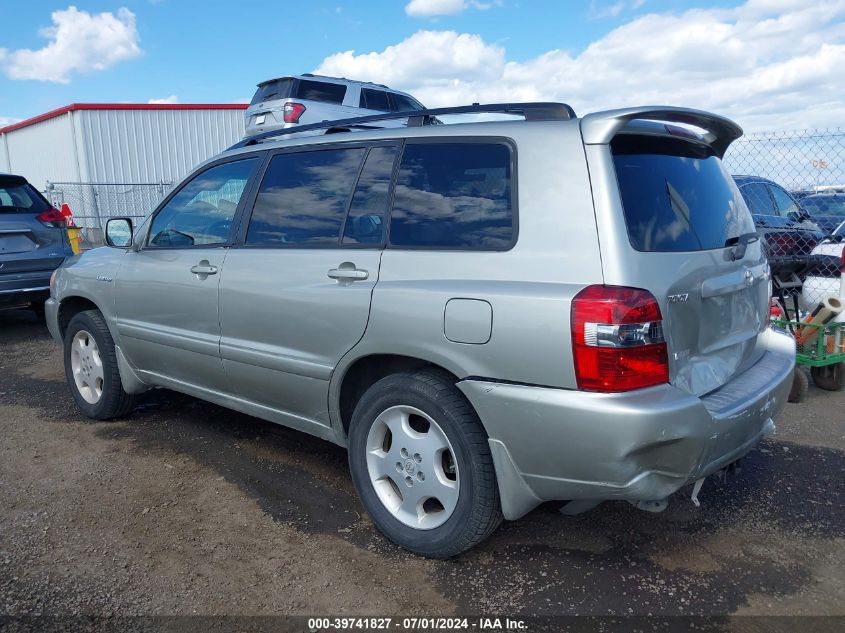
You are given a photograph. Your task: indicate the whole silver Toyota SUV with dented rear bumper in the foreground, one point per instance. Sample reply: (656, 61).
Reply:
(488, 315)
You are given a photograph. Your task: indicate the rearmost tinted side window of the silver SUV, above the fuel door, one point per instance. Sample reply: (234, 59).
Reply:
(453, 196)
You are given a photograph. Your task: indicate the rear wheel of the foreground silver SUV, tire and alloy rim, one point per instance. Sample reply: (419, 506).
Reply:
(421, 463)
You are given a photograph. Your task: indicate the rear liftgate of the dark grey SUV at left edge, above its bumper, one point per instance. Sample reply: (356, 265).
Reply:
(32, 234)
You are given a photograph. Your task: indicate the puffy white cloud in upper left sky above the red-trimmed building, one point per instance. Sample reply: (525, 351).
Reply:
(78, 42)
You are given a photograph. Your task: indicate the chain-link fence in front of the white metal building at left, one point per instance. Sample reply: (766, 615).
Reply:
(93, 203)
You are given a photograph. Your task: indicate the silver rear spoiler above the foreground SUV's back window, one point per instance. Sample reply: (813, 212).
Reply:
(599, 128)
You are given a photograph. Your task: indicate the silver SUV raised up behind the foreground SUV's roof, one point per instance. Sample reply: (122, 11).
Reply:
(303, 99)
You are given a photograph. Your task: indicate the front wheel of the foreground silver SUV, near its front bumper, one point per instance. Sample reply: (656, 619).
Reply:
(91, 368)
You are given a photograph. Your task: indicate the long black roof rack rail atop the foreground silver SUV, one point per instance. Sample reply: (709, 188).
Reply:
(536, 111)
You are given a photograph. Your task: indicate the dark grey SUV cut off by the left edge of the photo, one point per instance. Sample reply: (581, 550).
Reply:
(33, 243)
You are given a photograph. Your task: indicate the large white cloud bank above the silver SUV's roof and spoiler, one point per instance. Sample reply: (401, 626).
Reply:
(770, 64)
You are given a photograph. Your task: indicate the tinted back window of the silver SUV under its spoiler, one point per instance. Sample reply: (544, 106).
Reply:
(677, 196)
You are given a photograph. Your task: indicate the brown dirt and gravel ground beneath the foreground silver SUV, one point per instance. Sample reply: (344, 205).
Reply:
(188, 508)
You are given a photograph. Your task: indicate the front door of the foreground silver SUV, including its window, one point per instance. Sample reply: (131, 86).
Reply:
(166, 292)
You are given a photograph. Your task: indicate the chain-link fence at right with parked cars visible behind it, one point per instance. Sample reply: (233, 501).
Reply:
(794, 185)
